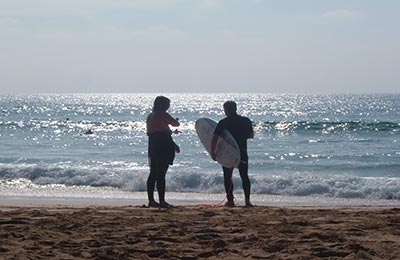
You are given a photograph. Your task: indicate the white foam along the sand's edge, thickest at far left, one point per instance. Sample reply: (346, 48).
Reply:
(25, 189)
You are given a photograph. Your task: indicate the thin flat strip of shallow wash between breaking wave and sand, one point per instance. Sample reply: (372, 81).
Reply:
(124, 199)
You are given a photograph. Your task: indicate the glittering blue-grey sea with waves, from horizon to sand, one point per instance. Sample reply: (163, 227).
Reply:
(306, 147)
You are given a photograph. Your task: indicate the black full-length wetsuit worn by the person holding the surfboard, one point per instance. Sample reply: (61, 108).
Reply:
(240, 127)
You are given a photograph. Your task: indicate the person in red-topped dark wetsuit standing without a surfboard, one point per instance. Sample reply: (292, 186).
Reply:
(161, 149)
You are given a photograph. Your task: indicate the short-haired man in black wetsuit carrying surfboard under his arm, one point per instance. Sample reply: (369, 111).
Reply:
(241, 129)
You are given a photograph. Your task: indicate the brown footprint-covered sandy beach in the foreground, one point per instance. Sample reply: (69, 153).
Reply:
(189, 232)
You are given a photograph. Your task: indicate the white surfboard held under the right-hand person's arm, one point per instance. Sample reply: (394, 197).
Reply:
(227, 149)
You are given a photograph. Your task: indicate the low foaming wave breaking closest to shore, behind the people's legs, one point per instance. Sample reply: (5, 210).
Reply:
(132, 177)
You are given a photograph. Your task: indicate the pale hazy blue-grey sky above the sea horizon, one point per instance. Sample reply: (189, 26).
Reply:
(263, 46)
